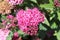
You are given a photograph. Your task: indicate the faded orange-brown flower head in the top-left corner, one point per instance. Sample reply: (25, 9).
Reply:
(5, 7)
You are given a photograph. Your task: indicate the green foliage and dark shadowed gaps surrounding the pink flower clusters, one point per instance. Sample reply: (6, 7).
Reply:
(50, 28)
